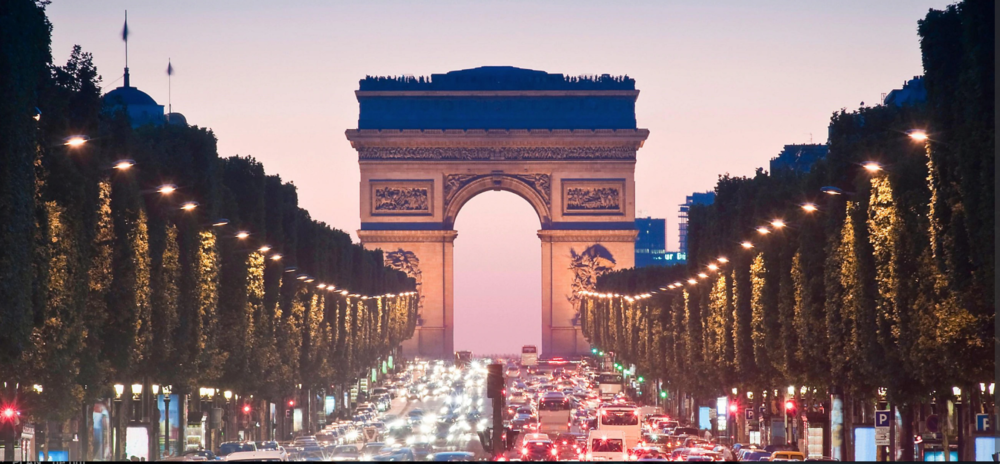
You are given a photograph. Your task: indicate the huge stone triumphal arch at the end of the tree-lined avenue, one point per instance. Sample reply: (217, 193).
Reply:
(566, 145)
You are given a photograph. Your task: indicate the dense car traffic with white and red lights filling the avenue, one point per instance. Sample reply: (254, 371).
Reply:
(550, 410)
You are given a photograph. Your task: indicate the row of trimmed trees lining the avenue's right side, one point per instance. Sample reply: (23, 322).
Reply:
(889, 284)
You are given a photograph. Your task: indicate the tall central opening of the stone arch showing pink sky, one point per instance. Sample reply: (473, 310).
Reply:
(498, 286)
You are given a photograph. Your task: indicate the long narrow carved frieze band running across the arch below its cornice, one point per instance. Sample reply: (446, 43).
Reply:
(495, 153)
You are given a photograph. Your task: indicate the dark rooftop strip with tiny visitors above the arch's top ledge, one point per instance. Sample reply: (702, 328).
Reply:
(496, 78)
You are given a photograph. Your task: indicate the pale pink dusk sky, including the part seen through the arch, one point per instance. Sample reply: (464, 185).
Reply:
(723, 86)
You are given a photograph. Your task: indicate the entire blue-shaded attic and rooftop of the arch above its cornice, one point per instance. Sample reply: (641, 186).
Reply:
(497, 97)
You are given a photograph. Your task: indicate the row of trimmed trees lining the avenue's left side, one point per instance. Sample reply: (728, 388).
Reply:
(105, 279)
